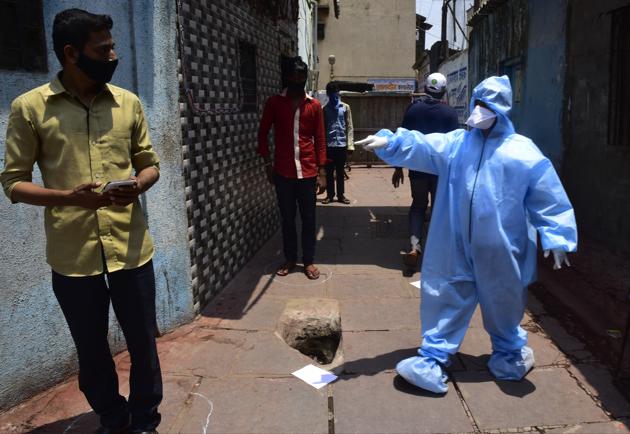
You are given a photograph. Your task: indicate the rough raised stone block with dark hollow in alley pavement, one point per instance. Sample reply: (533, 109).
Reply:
(313, 327)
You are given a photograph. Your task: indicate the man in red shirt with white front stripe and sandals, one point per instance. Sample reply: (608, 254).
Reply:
(298, 167)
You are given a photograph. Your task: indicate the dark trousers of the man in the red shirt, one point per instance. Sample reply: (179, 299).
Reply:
(303, 193)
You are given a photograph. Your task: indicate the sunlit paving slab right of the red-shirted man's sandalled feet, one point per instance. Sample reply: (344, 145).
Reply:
(346, 286)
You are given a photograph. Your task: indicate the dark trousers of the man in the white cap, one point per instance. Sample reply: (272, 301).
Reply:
(421, 185)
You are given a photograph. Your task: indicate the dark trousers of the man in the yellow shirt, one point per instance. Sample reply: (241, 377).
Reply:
(85, 304)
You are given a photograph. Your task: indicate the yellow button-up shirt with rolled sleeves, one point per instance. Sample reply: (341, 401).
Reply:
(73, 145)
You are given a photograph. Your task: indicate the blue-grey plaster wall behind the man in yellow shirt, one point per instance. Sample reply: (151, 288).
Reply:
(36, 350)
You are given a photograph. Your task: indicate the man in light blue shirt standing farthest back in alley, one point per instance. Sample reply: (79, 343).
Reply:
(339, 141)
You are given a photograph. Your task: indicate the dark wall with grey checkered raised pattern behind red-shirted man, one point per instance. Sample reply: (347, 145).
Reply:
(231, 208)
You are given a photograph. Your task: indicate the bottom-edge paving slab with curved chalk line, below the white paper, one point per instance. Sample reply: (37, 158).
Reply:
(257, 405)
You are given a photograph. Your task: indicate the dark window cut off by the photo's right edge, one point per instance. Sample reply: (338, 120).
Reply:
(619, 111)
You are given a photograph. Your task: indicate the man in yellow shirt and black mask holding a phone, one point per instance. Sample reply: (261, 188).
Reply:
(83, 133)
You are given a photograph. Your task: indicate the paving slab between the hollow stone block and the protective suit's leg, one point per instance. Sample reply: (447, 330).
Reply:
(380, 314)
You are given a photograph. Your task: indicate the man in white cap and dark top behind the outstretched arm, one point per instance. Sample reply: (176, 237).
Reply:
(428, 115)
